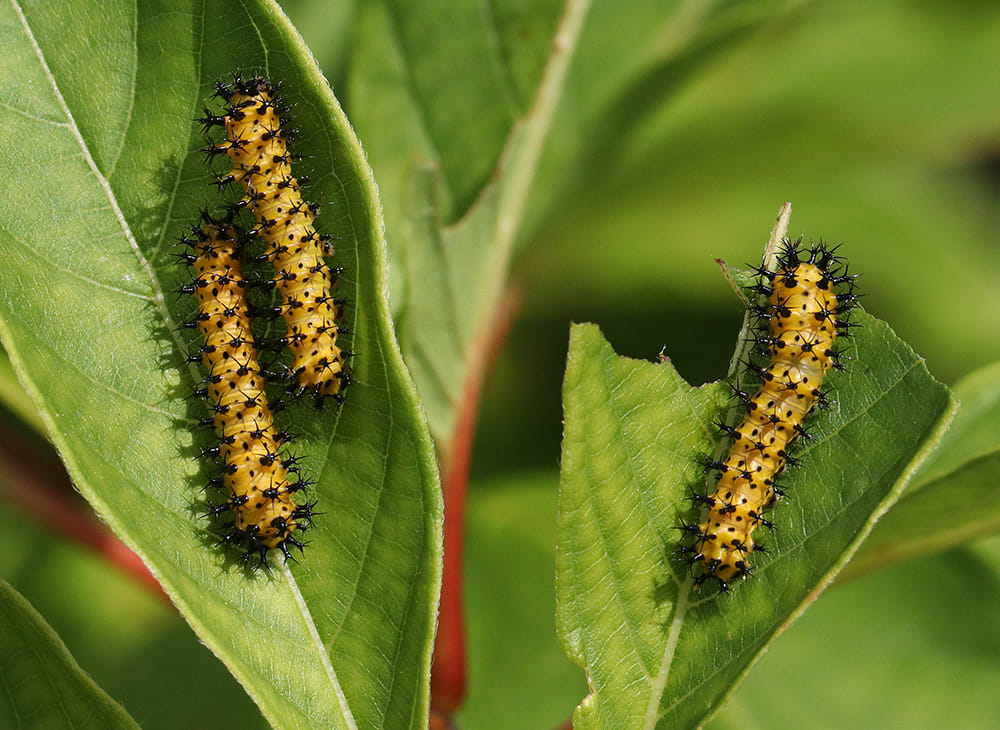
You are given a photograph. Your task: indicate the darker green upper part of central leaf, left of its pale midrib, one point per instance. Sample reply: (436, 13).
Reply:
(414, 95)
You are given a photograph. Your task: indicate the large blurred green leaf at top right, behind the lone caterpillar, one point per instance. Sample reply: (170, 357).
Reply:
(887, 147)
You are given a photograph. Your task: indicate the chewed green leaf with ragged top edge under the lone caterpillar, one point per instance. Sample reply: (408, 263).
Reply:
(656, 652)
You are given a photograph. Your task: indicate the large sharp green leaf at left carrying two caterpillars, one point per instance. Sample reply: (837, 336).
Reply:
(98, 118)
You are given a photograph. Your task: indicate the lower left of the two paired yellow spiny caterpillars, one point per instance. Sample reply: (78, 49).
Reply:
(254, 473)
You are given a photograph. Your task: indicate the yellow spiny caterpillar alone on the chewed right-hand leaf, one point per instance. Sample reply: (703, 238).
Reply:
(804, 316)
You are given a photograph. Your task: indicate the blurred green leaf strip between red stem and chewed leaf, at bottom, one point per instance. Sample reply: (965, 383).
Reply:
(510, 602)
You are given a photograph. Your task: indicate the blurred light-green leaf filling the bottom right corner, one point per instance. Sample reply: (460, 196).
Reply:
(885, 651)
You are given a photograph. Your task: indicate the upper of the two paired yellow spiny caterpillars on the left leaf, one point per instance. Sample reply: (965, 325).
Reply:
(257, 145)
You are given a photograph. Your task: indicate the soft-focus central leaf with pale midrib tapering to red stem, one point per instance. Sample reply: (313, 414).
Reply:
(462, 106)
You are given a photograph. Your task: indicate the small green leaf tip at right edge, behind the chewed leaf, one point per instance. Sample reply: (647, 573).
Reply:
(953, 498)
